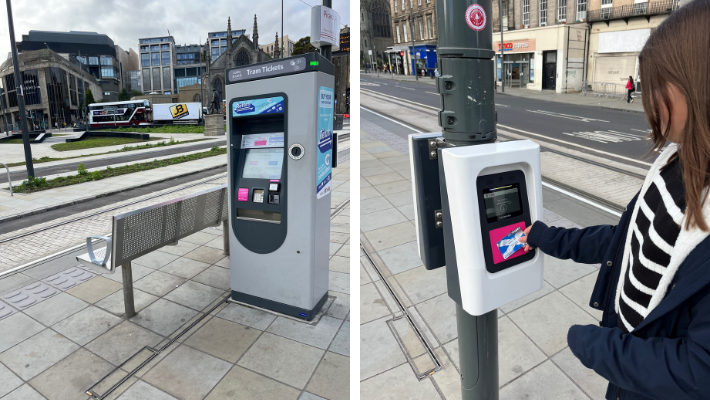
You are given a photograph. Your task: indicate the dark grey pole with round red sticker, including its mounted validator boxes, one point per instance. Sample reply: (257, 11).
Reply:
(473, 195)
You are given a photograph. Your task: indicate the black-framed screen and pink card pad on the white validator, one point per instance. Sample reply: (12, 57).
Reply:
(505, 214)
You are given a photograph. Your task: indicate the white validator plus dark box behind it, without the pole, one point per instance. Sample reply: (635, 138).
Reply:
(472, 203)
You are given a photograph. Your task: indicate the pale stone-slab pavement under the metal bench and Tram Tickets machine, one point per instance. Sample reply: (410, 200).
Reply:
(76, 334)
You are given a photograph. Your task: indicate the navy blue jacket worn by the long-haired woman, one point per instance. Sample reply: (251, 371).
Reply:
(667, 357)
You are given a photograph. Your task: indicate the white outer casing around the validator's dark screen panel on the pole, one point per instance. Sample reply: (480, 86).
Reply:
(483, 291)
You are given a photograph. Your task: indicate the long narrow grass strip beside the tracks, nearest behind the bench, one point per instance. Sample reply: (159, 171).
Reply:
(32, 184)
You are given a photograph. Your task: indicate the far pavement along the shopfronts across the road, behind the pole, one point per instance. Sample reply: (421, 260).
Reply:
(576, 98)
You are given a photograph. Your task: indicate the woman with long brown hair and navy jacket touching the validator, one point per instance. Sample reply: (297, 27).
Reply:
(653, 286)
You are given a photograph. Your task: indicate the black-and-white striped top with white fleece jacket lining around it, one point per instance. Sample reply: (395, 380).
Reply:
(656, 242)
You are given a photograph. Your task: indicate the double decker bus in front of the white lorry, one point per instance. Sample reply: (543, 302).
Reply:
(120, 113)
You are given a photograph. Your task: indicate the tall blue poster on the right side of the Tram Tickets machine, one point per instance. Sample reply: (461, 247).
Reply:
(325, 141)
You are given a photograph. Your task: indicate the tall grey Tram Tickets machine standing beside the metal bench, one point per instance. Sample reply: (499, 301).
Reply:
(279, 130)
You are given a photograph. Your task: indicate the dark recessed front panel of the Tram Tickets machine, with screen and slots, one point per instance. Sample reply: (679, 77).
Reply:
(260, 179)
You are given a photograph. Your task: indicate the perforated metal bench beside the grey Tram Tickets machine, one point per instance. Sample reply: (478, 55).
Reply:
(137, 233)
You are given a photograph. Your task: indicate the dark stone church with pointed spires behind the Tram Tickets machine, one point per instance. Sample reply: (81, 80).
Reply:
(242, 51)
